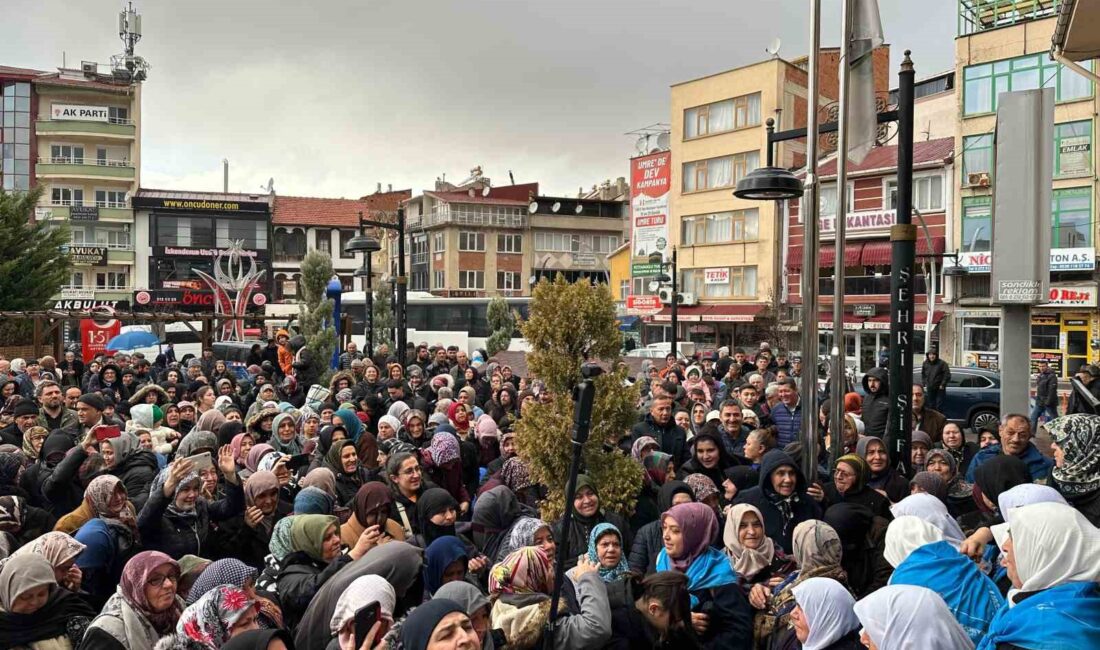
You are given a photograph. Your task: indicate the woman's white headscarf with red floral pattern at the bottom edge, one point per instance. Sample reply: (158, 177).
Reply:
(222, 614)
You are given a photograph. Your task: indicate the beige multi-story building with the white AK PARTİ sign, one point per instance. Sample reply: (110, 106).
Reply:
(78, 134)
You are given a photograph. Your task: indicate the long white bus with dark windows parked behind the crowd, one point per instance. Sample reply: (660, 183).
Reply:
(433, 320)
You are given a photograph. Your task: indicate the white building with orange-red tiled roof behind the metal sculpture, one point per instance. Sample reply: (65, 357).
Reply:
(304, 224)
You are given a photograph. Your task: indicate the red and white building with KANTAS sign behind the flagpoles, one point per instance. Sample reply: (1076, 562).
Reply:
(873, 211)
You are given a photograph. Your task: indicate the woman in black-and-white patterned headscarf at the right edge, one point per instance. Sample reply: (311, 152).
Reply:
(1076, 470)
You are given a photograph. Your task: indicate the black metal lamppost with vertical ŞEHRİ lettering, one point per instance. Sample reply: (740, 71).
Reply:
(904, 254)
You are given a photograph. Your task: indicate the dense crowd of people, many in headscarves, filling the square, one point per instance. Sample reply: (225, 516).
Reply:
(186, 504)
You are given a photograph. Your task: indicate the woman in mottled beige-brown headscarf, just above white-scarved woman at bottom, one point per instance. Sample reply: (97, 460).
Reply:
(817, 554)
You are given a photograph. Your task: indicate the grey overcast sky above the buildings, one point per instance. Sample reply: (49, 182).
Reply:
(332, 97)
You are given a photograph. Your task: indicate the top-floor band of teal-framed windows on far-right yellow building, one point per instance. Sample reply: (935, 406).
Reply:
(983, 84)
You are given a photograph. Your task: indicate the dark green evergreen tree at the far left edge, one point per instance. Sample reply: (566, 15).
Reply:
(34, 262)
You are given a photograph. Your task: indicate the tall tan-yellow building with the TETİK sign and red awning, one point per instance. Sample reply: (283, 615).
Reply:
(729, 249)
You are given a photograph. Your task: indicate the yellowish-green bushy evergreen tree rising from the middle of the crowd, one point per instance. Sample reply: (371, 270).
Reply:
(570, 325)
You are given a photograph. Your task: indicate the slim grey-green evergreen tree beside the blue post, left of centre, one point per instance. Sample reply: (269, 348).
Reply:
(316, 314)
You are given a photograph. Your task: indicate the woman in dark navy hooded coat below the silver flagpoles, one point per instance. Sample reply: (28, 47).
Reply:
(782, 498)
